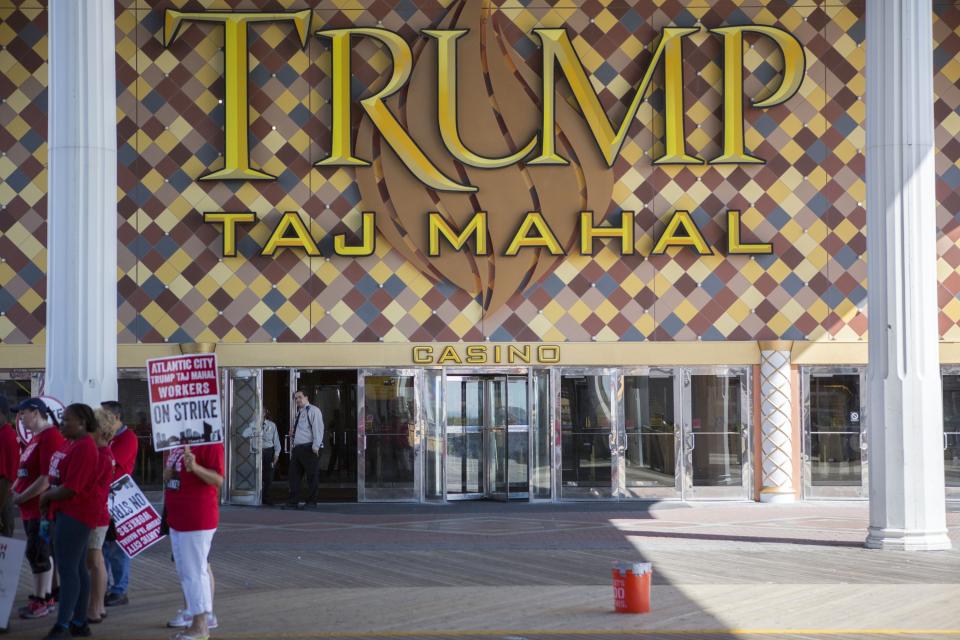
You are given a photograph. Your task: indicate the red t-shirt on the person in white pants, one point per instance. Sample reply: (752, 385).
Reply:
(192, 504)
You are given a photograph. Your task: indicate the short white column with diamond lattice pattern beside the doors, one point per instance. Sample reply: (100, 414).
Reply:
(776, 423)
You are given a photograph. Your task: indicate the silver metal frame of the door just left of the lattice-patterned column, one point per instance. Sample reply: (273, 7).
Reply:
(688, 438)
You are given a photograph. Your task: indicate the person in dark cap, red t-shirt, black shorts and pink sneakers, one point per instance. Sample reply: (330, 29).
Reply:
(31, 481)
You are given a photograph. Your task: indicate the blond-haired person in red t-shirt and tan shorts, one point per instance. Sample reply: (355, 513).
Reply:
(107, 425)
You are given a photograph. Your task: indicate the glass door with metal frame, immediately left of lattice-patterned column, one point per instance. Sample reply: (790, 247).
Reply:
(716, 434)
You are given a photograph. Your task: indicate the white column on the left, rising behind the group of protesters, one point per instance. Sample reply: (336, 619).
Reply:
(81, 341)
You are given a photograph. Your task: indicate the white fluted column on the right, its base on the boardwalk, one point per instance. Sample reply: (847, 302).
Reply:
(907, 509)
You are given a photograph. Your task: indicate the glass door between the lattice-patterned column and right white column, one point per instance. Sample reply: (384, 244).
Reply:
(834, 442)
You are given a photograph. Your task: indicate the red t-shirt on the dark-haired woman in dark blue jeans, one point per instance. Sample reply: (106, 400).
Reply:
(75, 466)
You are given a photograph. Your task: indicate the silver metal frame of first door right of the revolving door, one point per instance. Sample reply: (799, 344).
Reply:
(613, 374)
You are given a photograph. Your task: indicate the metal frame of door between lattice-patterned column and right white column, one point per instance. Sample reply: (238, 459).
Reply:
(839, 492)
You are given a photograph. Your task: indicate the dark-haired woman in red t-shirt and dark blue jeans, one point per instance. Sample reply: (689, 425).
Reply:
(73, 502)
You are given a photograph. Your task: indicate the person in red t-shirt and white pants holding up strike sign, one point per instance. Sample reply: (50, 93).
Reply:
(192, 481)
